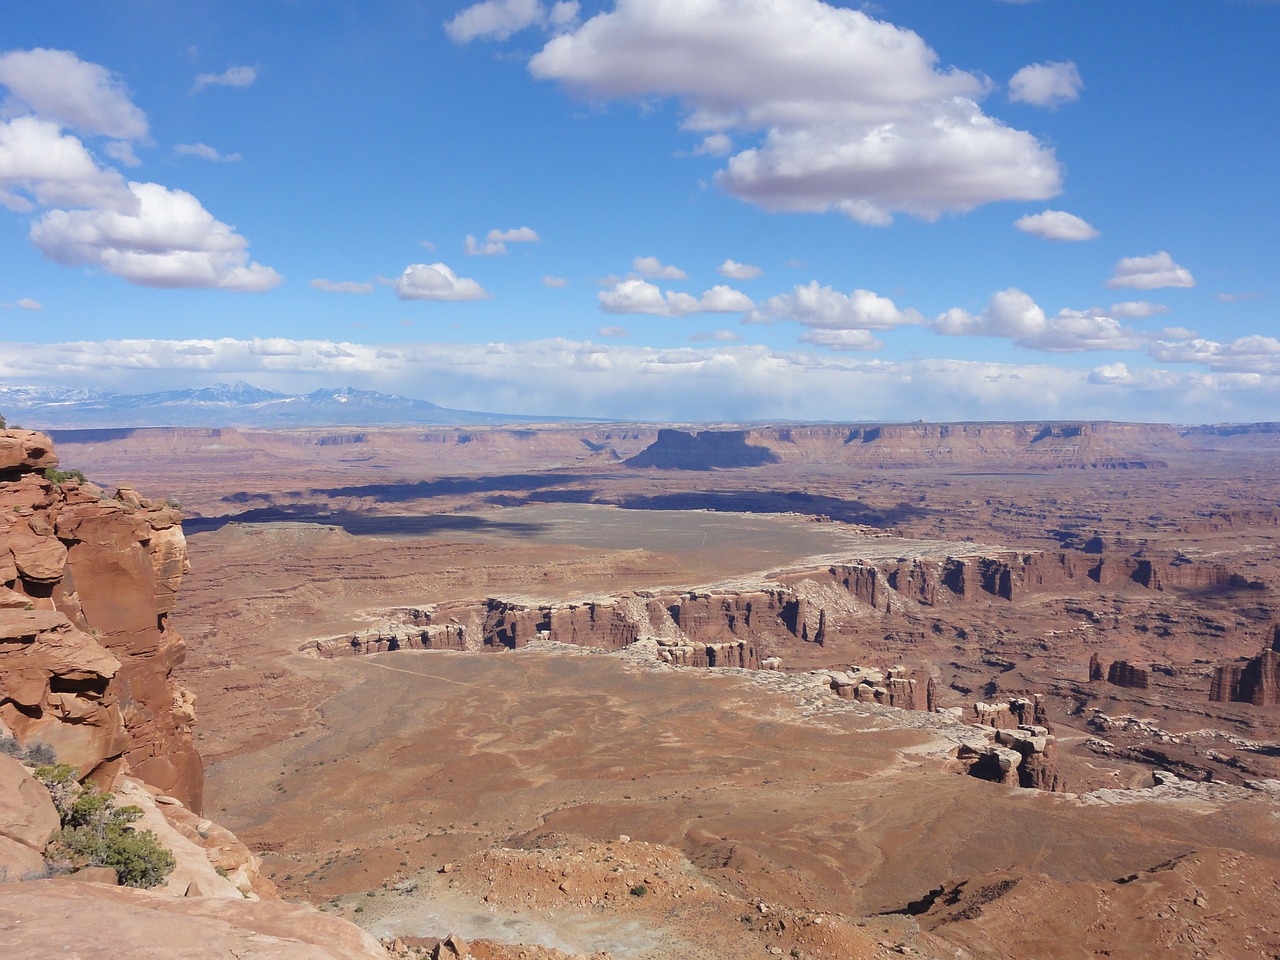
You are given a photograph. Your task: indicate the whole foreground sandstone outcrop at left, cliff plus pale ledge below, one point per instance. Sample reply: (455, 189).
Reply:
(88, 582)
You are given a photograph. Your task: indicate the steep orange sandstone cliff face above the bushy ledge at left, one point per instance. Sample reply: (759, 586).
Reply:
(86, 586)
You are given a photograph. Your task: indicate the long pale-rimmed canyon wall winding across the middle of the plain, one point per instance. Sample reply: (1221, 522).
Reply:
(744, 627)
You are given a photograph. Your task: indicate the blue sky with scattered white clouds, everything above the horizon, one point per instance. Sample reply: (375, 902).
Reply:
(697, 211)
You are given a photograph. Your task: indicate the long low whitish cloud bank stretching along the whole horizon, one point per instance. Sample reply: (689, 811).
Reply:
(621, 381)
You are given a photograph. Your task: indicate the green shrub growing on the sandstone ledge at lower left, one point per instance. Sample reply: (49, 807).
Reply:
(99, 834)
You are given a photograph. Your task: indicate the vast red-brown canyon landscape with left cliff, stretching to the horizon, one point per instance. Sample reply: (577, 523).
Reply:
(728, 691)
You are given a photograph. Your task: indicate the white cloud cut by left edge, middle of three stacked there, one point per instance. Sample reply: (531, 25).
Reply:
(54, 168)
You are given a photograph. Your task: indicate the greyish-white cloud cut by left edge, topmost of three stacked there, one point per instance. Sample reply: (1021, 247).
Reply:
(60, 86)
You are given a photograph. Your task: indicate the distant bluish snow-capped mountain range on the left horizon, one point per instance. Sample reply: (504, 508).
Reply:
(237, 405)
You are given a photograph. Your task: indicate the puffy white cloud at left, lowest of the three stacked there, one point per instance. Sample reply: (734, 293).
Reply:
(168, 241)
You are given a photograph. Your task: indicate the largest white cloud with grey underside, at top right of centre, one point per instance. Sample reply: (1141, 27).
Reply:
(857, 113)
